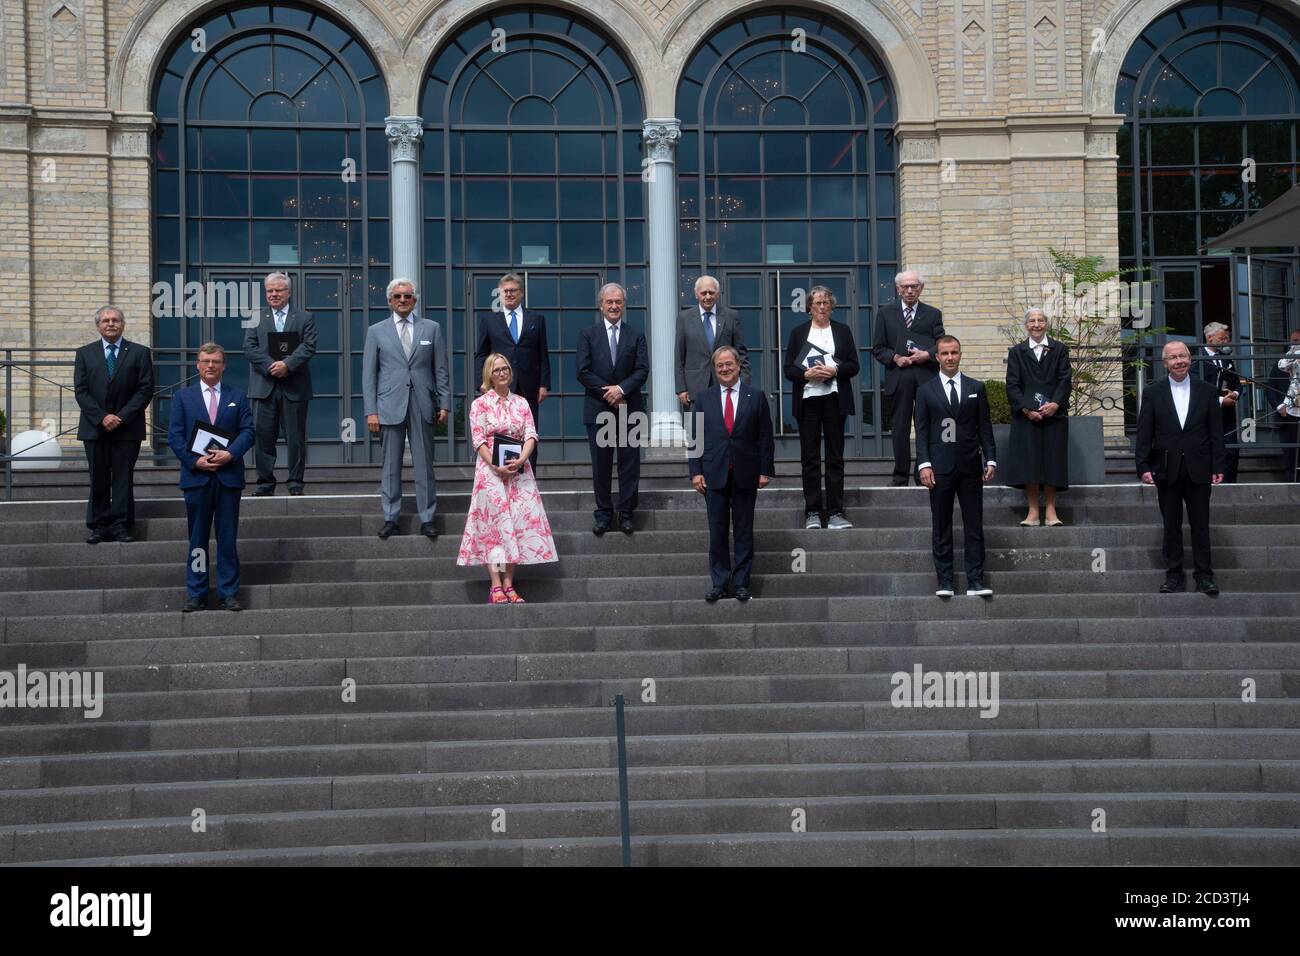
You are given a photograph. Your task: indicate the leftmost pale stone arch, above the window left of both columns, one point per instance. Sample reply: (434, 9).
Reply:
(159, 23)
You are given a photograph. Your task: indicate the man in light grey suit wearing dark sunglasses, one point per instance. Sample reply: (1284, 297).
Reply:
(408, 384)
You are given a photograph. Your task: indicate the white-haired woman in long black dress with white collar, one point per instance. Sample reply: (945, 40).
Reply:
(1038, 390)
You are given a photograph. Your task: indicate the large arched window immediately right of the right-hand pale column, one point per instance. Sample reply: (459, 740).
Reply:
(787, 179)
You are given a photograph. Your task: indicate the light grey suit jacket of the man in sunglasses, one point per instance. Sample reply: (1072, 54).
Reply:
(391, 382)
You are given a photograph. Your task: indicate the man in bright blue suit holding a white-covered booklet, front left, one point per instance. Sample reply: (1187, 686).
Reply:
(213, 483)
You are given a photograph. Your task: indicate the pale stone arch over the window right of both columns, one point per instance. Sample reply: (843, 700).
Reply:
(876, 21)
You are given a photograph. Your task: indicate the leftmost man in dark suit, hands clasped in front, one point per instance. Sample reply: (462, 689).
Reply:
(114, 383)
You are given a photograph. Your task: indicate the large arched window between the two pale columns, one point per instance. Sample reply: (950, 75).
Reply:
(532, 163)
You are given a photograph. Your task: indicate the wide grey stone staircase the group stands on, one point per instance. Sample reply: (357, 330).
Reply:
(486, 736)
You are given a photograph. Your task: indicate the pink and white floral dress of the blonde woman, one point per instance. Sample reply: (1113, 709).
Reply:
(506, 524)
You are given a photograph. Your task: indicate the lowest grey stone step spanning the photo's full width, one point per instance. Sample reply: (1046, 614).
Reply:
(870, 815)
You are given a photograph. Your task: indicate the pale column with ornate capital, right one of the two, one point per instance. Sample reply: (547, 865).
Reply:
(661, 140)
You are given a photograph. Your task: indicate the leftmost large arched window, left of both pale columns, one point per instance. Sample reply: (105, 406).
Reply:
(271, 155)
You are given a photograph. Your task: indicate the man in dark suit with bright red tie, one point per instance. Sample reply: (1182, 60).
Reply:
(738, 460)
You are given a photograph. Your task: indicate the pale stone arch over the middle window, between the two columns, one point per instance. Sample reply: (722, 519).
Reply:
(623, 25)
